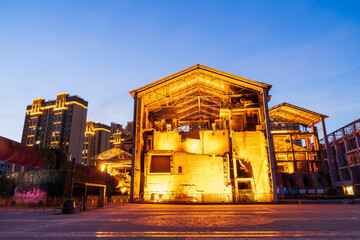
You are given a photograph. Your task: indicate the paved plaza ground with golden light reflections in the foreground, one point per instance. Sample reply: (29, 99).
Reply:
(140, 221)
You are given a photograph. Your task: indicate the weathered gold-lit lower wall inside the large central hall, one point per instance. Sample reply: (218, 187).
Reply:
(203, 161)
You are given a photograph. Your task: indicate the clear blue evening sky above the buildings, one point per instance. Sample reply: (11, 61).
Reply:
(100, 50)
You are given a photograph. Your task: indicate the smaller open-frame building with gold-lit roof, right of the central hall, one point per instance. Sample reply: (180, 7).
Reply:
(300, 166)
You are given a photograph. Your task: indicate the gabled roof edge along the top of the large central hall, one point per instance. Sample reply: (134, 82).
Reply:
(227, 77)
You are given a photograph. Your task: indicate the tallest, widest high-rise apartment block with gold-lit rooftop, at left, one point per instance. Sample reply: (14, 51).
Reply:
(57, 124)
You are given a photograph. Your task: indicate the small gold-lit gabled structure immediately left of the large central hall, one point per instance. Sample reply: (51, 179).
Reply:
(117, 163)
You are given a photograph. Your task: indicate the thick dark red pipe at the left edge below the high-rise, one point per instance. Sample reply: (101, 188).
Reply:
(14, 152)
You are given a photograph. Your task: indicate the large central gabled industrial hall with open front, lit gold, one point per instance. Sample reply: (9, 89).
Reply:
(201, 136)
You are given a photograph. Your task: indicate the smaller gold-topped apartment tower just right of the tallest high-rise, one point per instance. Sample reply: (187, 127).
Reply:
(97, 140)
